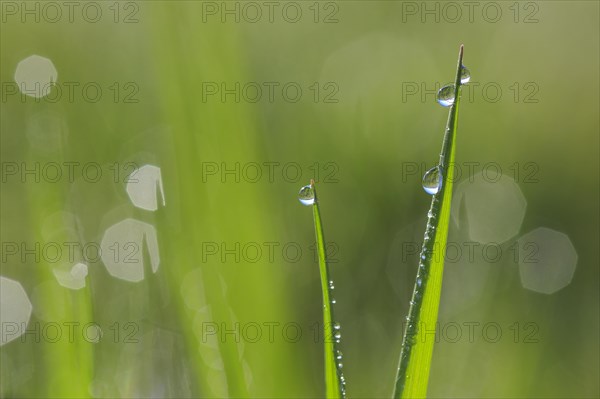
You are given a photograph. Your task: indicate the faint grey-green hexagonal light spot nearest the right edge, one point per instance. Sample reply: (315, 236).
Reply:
(547, 260)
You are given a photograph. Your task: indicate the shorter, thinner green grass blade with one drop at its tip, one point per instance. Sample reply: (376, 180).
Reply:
(334, 380)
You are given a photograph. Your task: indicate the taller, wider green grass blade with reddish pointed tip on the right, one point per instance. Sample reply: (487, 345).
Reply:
(419, 333)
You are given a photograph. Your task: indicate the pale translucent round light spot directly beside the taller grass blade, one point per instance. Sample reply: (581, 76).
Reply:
(492, 209)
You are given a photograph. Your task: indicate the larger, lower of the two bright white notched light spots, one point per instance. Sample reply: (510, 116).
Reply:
(123, 246)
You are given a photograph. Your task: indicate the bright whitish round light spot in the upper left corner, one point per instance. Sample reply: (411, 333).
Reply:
(35, 76)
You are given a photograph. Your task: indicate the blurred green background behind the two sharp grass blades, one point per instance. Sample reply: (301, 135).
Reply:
(366, 127)
